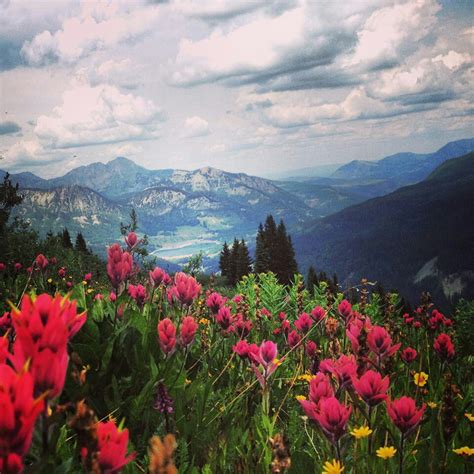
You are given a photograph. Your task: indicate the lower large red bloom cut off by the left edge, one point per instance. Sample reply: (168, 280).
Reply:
(19, 412)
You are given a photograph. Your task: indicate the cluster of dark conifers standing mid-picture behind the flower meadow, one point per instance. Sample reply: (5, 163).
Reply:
(273, 253)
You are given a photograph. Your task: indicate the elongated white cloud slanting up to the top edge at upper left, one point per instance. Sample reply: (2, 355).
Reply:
(99, 26)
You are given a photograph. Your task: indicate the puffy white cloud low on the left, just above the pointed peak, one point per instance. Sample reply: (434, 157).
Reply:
(98, 114)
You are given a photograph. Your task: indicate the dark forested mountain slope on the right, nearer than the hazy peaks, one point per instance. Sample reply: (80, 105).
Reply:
(417, 238)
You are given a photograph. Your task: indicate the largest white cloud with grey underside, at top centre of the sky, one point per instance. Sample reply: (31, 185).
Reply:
(265, 48)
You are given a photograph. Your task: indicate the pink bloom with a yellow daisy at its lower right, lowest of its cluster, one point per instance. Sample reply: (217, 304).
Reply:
(332, 416)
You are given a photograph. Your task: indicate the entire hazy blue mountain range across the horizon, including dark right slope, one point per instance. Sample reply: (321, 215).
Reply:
(335, 222)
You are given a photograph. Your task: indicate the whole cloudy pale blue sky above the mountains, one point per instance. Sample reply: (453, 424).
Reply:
(251, 86)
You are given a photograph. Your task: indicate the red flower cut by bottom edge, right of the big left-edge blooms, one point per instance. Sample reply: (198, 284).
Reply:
(112, 444)
